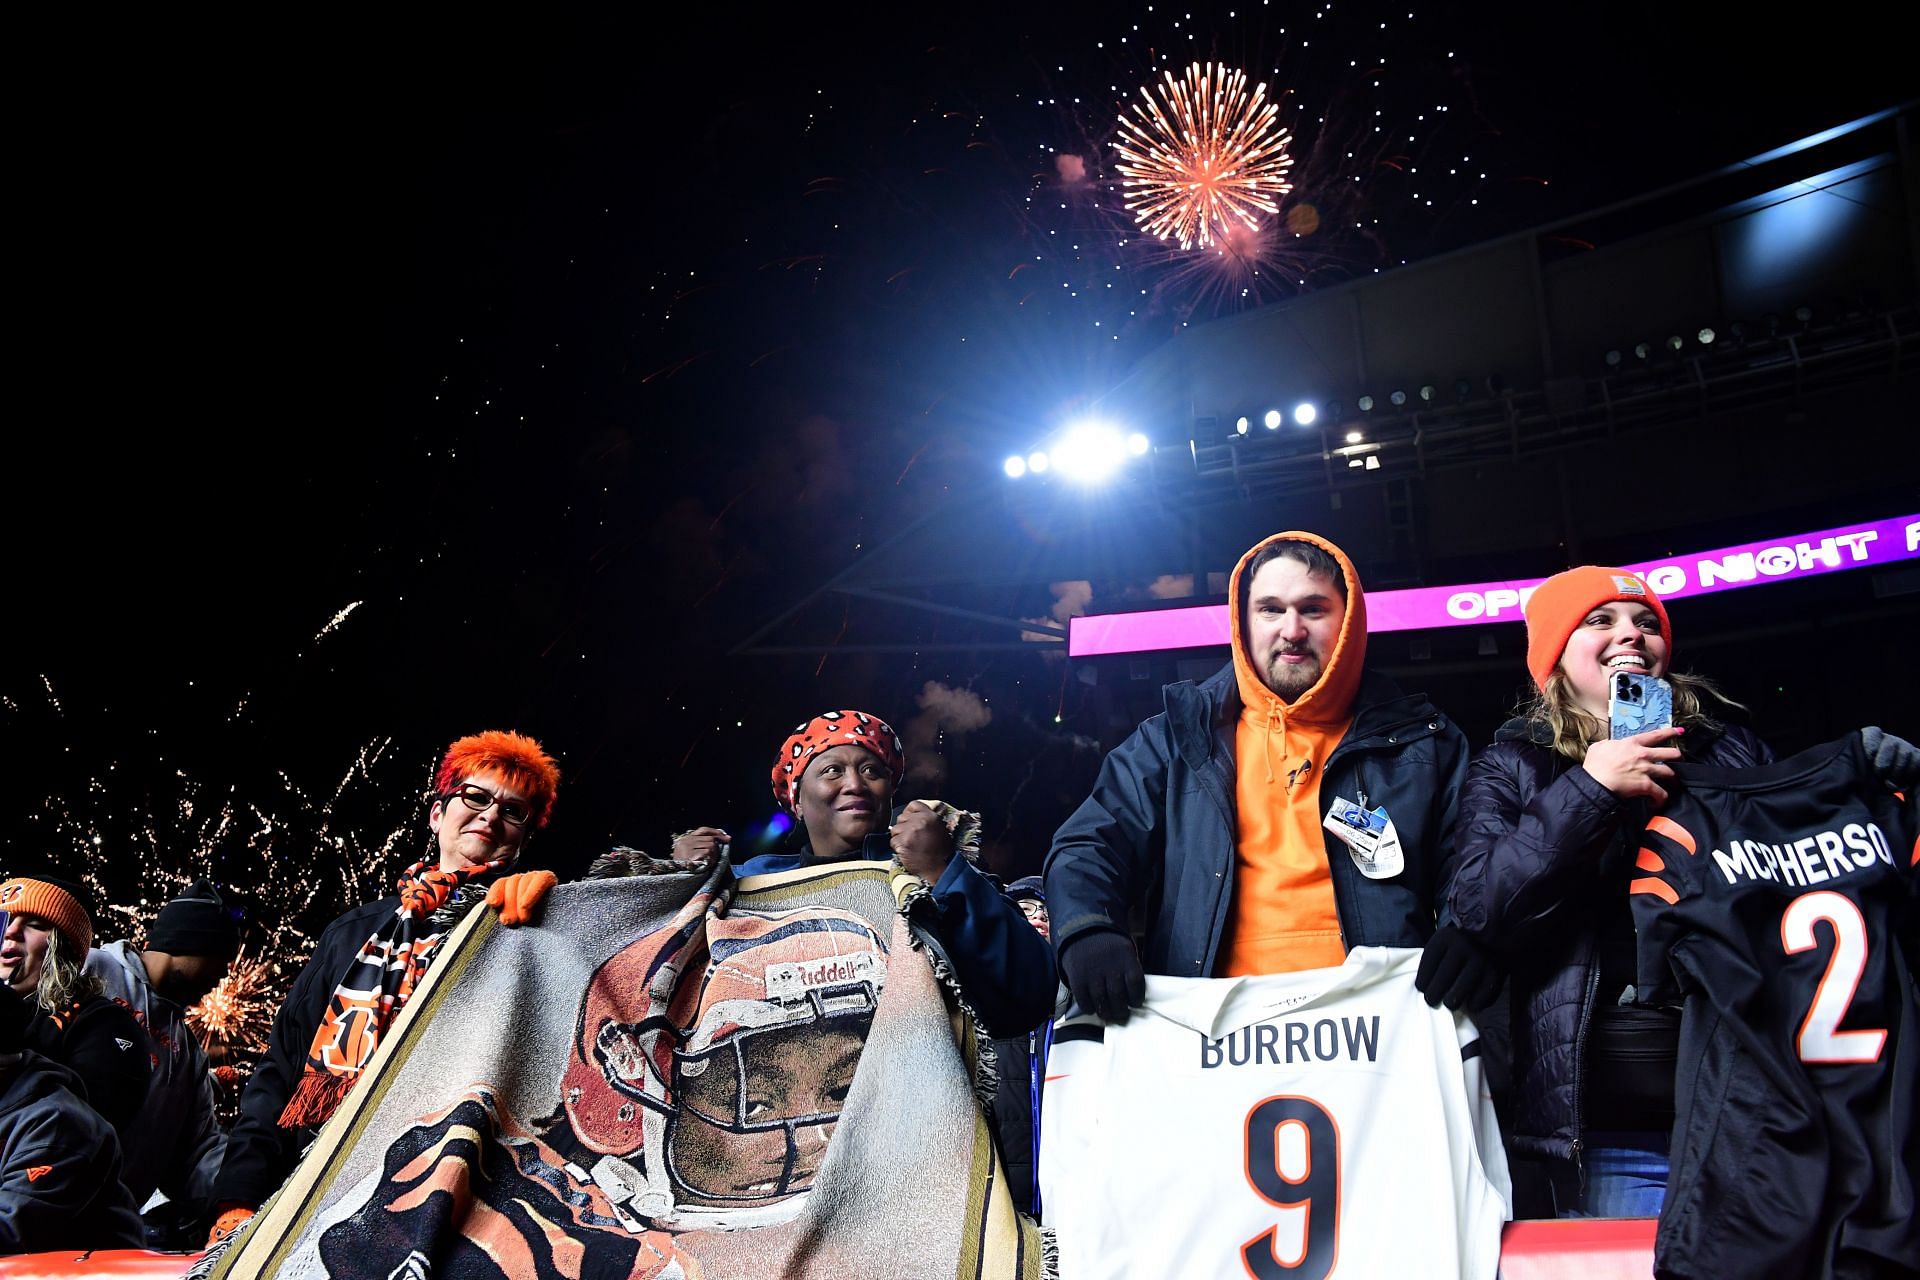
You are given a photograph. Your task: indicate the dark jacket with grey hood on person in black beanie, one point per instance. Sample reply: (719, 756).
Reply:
(176, 1143)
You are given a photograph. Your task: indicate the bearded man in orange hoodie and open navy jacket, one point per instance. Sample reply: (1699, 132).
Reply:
(1284, 811)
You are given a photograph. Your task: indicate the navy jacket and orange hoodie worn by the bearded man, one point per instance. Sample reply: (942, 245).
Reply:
(1161, 836)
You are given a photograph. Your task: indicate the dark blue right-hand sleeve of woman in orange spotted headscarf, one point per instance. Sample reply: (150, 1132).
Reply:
(1003, 964)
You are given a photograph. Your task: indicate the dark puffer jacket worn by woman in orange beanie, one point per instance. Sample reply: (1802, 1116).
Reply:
(1539, 841)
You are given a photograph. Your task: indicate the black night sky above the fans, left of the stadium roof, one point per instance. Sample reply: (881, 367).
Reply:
(569, 356)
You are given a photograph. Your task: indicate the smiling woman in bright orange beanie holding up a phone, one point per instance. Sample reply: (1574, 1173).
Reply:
(1550, 822)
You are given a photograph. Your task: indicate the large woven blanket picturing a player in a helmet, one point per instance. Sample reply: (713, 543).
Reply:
(669, 1079)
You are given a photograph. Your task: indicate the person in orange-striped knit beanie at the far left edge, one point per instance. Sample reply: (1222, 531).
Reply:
(43, 959)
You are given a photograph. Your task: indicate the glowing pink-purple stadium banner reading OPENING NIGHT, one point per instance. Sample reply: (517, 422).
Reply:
(1750, 565)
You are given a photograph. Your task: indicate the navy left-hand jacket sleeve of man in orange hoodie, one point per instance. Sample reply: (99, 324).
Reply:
(1105, 855)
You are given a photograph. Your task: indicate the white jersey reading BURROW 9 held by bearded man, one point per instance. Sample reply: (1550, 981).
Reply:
(1289, 1127)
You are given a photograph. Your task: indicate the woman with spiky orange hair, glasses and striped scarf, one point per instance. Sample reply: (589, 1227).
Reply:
(491, 794)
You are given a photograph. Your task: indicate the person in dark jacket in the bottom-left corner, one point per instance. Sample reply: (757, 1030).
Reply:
(59, 1160)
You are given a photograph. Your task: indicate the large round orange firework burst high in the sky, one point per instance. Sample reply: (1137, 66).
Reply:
(1203, 158)
